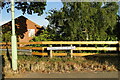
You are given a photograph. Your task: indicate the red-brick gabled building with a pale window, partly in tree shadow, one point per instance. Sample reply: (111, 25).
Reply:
(25, 28)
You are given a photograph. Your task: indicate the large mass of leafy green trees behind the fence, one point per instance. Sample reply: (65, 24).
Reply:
(84, 21)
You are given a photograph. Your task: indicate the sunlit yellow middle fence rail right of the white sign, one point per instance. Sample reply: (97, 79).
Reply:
(97, 48)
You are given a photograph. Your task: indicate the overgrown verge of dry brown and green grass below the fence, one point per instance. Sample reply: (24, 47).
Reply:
(58, 64)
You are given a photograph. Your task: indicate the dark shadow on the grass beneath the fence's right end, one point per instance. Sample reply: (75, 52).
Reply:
(111, 59)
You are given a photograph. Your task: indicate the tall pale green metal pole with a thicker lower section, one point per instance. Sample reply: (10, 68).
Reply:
(13, 39)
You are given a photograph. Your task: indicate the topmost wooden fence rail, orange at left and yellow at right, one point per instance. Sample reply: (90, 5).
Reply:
(68, 42)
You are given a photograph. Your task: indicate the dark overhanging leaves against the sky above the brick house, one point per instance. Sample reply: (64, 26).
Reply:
(27, 7)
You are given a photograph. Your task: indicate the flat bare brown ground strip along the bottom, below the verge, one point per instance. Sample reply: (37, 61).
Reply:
(69, 75)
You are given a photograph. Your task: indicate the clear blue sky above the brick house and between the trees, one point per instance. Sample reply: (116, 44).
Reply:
(40, 20)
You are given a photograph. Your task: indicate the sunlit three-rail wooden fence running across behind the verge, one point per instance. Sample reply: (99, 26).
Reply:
(51, 53)
